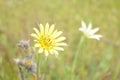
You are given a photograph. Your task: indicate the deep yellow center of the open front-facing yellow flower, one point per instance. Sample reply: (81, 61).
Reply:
(46, 42)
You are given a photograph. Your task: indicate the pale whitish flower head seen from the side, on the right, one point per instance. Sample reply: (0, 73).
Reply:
(89, 32)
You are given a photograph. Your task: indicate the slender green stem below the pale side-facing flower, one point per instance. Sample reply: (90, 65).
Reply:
(76, 56)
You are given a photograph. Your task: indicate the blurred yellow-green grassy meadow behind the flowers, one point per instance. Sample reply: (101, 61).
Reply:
(101, 59)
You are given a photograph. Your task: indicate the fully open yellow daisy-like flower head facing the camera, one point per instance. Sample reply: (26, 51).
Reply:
(48, 39)
